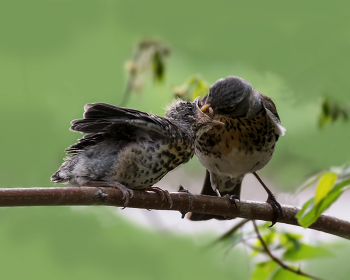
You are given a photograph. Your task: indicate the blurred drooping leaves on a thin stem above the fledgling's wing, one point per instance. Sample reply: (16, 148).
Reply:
(149, 56)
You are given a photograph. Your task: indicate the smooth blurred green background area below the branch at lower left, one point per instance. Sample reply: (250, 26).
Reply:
(40, 243)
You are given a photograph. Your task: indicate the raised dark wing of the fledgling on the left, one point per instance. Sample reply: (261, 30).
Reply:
(123, 123)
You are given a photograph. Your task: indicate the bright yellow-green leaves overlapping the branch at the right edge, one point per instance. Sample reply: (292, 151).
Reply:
(327, 192)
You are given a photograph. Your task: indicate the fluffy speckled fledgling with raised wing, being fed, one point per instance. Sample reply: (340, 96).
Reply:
(129, 149)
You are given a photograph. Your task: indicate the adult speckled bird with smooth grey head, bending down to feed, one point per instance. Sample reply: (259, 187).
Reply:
(244, 145)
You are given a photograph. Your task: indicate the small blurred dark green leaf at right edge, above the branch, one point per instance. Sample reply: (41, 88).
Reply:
(332, 111)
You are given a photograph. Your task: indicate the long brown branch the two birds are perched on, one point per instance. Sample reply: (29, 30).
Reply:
(182, 202)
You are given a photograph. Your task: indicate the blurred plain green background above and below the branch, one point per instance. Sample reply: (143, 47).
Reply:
(56, 56)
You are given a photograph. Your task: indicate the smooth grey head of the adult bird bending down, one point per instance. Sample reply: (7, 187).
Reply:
(230, 96)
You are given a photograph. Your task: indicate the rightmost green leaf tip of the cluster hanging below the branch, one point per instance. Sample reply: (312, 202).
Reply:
(305, 252)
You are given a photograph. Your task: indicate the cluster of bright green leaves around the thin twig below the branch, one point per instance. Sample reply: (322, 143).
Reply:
(290, 248)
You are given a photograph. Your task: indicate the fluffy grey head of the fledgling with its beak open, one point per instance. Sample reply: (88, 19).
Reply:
(188, 116)
